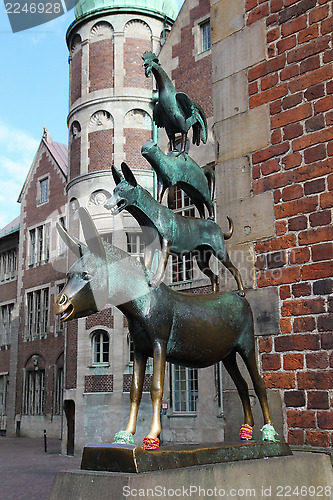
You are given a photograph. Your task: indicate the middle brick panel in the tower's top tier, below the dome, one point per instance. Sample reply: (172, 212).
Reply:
(101, 64)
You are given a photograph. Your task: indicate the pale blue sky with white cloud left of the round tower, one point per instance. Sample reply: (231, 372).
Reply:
(34, 94)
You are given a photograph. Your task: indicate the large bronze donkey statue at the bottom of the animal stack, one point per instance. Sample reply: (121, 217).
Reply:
(189, 330)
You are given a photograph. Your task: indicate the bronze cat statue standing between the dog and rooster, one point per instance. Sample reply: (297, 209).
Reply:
(179, 170)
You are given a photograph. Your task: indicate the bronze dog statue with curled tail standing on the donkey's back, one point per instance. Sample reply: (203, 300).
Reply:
(176, 233)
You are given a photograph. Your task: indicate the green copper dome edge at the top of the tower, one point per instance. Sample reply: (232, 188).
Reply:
(167, 8)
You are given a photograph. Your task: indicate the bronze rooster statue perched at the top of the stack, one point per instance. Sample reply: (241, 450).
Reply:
(174, 110)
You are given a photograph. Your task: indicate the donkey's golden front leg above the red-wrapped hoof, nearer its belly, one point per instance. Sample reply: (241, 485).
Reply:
(157, 385)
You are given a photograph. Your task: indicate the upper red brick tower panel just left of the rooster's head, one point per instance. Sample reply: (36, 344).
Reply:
(134, 73)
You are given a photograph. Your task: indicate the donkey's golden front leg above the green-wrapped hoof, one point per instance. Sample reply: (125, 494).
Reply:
(139, 367)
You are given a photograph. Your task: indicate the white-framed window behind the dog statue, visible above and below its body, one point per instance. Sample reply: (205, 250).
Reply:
(182, 265)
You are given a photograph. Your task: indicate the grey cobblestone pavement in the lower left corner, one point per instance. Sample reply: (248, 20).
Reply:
(26, 471)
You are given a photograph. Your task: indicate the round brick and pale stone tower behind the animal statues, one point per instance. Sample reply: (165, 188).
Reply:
(110, 117)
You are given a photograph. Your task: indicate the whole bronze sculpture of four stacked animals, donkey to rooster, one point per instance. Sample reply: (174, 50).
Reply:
(188, 330)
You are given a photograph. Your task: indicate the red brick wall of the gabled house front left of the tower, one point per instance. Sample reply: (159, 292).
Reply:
(45, 275)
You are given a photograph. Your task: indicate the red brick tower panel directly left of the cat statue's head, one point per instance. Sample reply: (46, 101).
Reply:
(134, 139)
